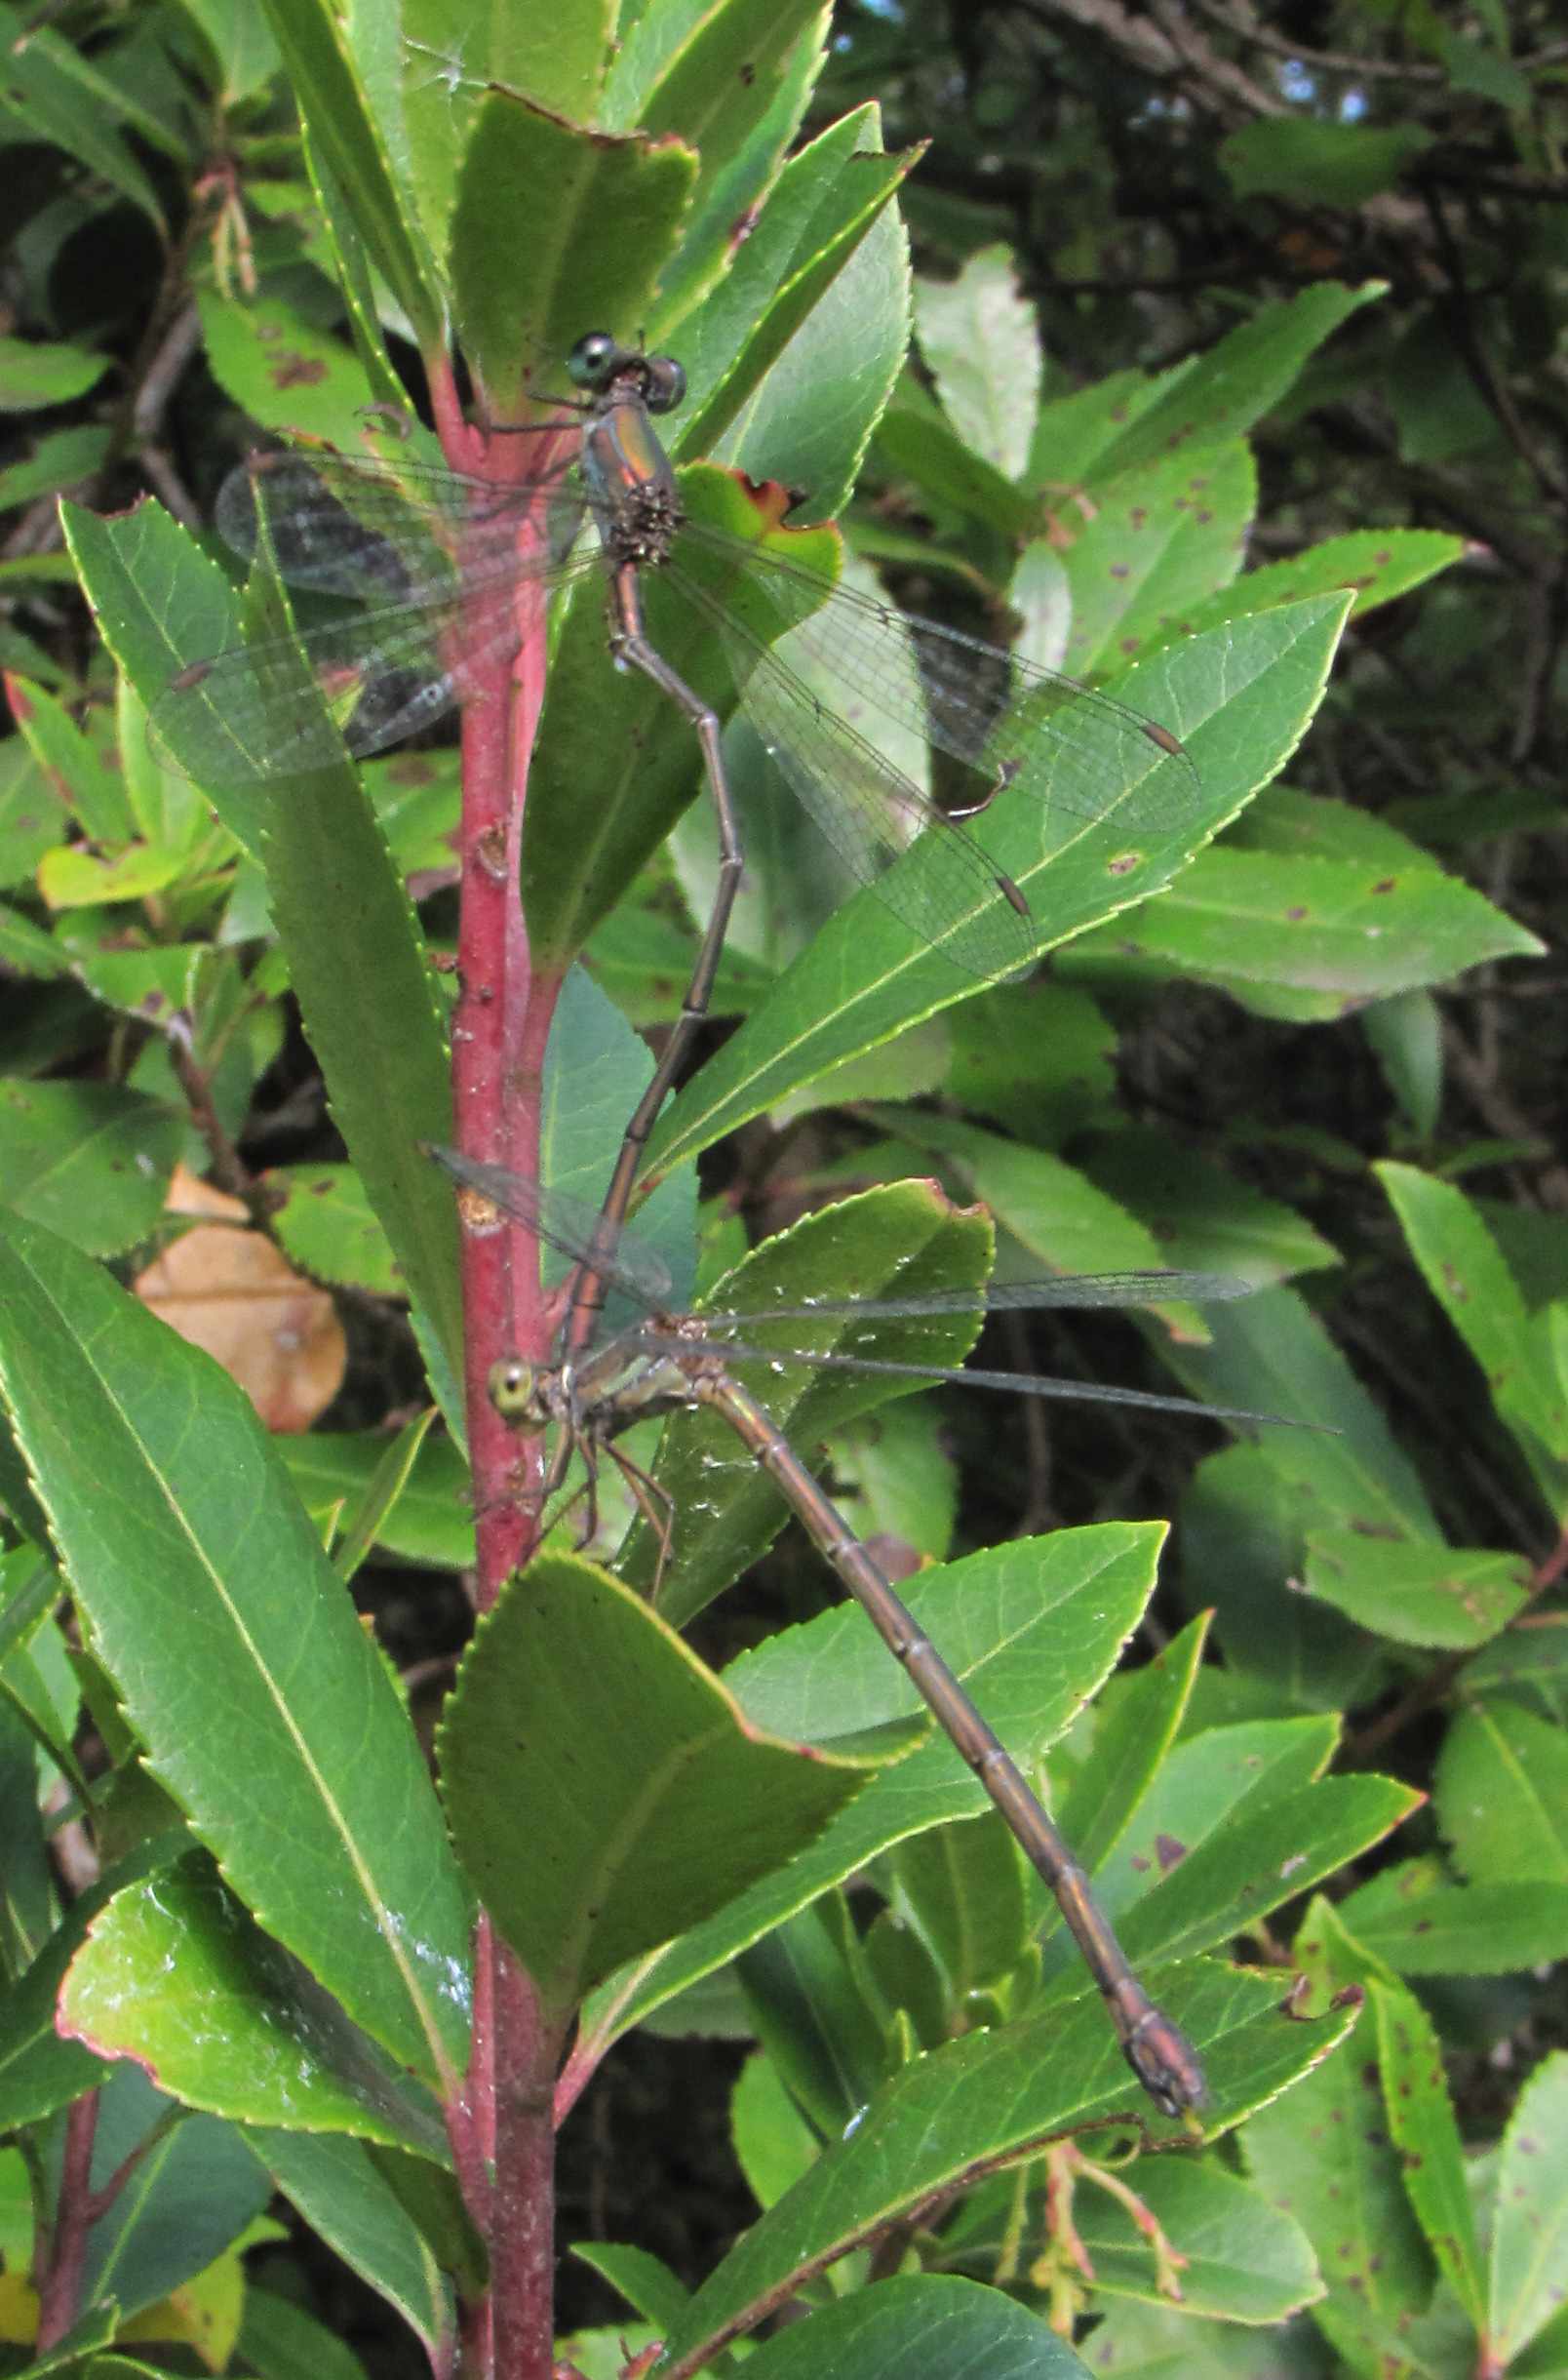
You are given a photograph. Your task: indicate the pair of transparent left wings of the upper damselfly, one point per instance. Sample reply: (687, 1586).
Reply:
(420, 572)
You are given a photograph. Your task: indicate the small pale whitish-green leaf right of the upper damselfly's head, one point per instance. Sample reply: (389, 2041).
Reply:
(981, 342)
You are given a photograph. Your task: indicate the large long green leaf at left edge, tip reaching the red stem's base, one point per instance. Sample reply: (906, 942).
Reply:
(208, 1591)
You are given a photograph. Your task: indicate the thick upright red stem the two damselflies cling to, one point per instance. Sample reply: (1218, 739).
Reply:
(501, 2127)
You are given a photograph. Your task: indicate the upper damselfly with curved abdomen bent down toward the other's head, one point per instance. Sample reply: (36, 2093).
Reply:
(439, 572)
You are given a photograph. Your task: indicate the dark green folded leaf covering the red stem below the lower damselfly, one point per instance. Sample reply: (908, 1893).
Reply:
(682, 1805)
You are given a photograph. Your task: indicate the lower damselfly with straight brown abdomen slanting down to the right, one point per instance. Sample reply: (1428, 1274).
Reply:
(677, 1363)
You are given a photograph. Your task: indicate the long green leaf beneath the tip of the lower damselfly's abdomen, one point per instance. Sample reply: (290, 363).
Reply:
(981, 2103)
